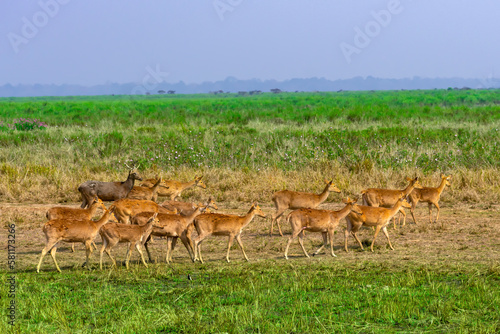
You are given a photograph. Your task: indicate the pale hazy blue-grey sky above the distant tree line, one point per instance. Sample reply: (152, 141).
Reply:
(93, 42)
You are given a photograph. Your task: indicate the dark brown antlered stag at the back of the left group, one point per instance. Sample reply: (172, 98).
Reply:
(107, 191)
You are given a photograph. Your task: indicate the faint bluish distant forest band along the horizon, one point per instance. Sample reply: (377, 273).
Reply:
(233, 85)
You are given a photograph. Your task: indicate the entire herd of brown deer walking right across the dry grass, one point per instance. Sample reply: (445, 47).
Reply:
(135, 216)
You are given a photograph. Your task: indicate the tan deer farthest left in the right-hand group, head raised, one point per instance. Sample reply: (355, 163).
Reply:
(287, 199)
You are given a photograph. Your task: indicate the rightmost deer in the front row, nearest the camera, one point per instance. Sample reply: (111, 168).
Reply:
(372, 217)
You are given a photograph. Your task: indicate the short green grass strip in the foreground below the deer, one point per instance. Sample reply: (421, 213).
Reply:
(271, 297)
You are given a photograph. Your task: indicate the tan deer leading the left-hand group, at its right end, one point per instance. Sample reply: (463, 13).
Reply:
(208, 224)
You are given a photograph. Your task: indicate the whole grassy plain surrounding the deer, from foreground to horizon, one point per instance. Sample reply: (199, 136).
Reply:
(441, 277)
